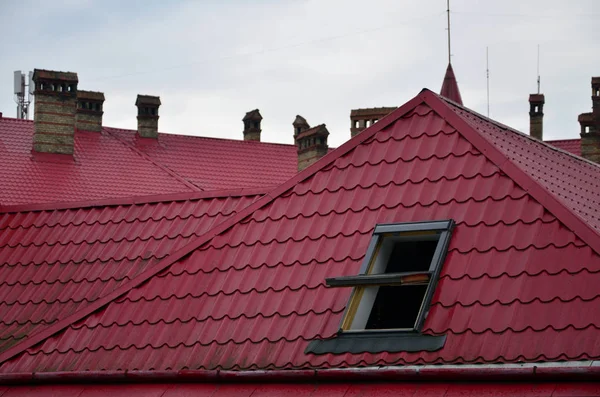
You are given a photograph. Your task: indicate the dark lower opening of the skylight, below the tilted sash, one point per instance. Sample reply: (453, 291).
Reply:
(396, 307)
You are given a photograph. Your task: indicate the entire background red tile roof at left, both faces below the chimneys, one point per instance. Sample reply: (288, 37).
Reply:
(115, 164)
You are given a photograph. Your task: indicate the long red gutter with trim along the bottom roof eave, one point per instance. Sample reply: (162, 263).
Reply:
(538, 371)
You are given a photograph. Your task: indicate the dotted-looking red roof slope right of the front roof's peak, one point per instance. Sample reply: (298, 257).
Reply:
(575, 182)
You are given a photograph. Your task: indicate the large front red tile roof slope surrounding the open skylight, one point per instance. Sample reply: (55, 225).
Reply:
(517, 285)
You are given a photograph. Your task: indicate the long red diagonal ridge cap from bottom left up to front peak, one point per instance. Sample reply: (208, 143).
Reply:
(163, 264)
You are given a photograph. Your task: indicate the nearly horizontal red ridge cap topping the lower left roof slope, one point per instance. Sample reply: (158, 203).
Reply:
(150, 199)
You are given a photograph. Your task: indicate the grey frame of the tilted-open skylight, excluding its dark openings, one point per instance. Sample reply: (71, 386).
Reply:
(431, 230)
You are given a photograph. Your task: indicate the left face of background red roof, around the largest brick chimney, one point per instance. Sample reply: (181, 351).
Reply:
(102, 168)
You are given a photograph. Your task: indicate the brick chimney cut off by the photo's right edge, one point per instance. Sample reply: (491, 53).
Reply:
(590, 126)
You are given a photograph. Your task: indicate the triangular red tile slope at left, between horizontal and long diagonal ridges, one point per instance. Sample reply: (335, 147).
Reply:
(55, 262)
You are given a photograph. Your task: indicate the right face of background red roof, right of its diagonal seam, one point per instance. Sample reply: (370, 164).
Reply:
(215, 164)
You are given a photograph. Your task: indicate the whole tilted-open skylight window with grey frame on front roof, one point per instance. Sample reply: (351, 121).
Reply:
(398, 278)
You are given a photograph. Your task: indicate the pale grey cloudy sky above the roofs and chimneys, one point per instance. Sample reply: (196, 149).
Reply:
(211, 61)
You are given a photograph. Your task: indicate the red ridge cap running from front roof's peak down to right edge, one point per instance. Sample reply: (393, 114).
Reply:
(564, 214)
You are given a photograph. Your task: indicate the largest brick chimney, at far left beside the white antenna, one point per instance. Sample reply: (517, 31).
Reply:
(55, 104)
